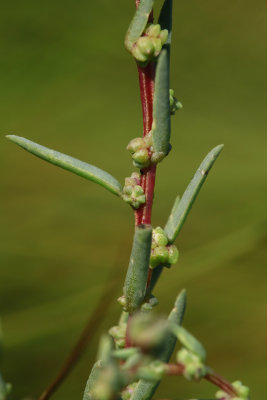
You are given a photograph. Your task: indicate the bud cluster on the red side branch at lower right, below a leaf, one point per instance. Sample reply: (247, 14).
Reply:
(194, 368)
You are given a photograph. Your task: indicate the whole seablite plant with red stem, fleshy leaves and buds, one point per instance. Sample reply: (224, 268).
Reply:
(134, 355)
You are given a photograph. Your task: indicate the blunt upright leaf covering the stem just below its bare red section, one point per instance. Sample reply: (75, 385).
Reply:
(136, 278)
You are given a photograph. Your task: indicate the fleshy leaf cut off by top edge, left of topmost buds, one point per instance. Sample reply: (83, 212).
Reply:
(138, 23)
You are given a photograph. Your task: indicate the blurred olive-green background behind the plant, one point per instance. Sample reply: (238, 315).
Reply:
(67, 82)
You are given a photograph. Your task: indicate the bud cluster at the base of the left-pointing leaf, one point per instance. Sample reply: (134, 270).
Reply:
(132, 192)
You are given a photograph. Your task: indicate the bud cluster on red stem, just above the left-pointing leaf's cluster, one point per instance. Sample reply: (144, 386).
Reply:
(141, 149)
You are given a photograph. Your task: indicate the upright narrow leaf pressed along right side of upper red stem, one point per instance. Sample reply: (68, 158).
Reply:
(161, 129)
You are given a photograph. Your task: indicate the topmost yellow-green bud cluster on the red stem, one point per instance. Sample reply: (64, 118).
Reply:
(150, 44)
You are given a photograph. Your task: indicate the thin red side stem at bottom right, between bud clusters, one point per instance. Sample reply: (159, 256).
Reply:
(222, 383)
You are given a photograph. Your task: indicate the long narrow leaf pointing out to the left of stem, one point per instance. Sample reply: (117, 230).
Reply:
(69, 163)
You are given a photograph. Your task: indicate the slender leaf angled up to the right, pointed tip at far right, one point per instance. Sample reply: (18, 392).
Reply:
(181, 208)
